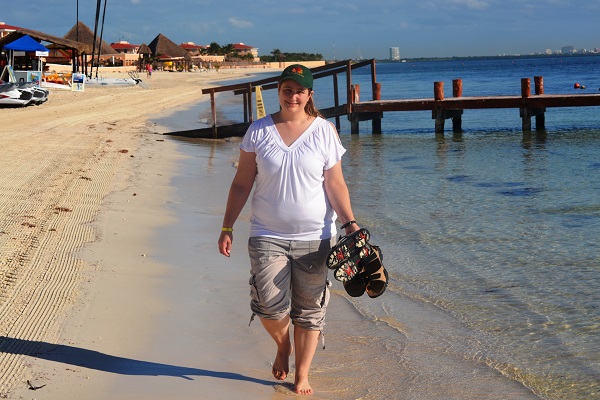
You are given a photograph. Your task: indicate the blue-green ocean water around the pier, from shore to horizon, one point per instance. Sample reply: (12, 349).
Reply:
(495, 228)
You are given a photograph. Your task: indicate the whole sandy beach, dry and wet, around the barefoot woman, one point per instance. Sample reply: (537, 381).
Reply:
(112, 285)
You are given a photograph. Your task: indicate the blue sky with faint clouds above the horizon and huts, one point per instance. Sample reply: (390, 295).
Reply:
(336, 29)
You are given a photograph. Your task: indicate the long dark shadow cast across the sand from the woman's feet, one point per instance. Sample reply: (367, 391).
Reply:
(104, 362)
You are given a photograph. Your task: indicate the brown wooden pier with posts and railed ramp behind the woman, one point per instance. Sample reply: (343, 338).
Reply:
(355, 110)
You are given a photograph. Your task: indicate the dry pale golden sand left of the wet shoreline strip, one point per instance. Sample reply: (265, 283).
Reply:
(59, 163)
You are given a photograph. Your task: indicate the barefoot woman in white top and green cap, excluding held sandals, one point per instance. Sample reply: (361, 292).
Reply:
(292, 158)
